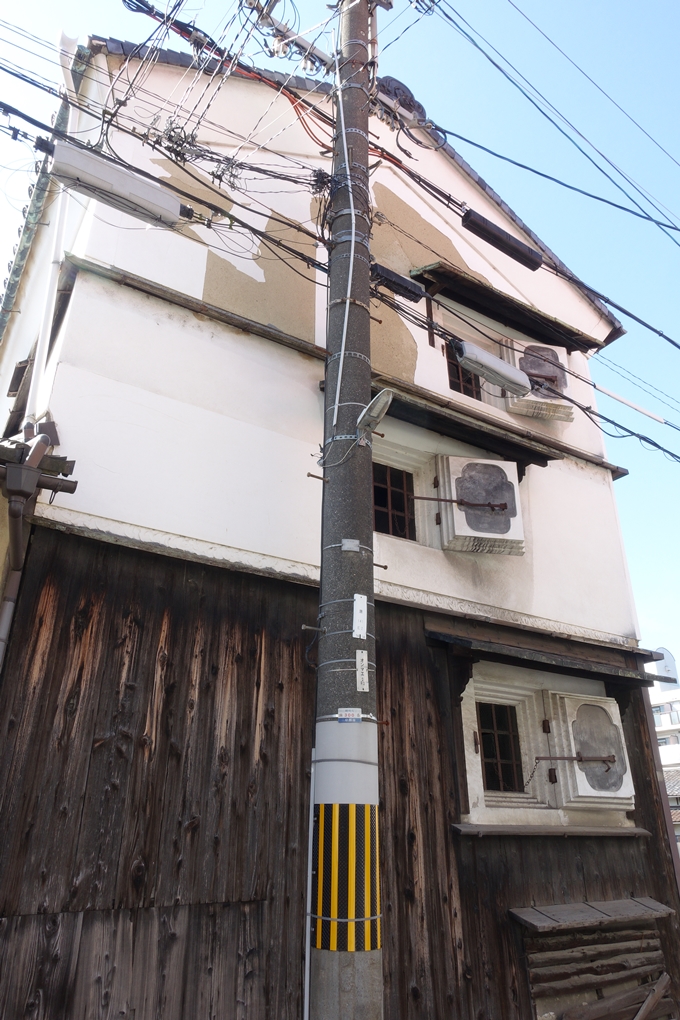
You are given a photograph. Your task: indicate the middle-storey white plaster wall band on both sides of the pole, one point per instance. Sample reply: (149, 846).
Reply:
(183, 428)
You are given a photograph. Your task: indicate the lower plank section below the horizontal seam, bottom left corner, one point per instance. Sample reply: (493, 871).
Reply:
(164, 963)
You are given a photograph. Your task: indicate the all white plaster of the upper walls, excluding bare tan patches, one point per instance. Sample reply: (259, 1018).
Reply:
(197, 440)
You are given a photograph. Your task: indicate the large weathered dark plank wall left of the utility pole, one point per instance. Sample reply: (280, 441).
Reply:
(156, 722)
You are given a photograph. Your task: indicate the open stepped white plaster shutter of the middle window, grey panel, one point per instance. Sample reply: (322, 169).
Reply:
(488, 518)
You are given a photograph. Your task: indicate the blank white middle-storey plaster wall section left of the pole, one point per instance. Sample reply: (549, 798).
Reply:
(186, 429)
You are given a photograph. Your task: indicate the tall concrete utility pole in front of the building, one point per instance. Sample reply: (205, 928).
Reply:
(346, 939)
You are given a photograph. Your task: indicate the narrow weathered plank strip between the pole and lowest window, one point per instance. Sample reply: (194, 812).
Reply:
(423, 931)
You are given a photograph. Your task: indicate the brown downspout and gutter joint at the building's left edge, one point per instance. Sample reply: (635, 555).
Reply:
(21, 483)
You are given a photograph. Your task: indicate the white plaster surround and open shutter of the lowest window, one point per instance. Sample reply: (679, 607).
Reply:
(555, 727)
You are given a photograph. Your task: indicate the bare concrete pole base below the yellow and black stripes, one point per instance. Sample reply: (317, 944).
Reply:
(346, 986)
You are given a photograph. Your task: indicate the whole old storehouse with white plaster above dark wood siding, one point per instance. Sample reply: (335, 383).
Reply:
(158, 698)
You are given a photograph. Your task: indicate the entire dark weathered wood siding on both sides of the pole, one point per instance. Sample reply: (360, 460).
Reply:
(156, 720)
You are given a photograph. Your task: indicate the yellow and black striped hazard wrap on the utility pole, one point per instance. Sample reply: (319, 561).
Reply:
(346, 891)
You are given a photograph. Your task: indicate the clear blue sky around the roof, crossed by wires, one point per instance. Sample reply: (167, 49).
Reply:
(631, 52)
